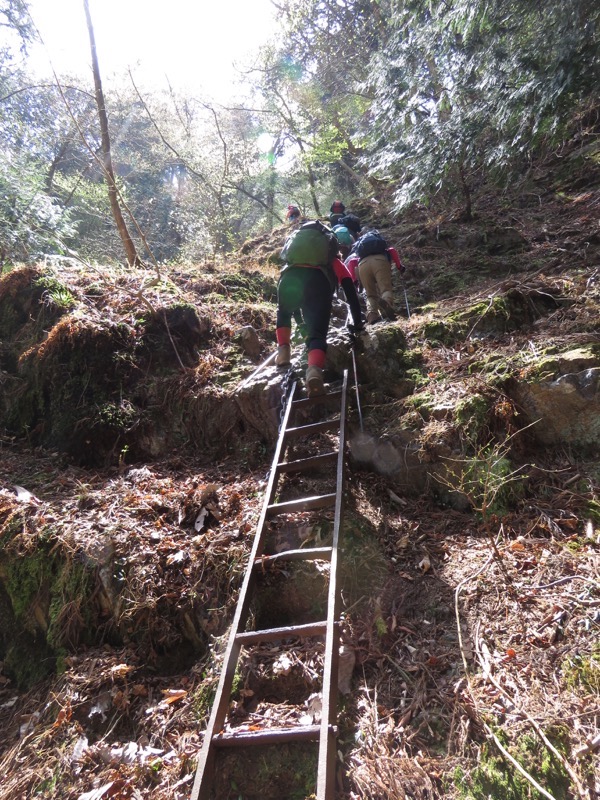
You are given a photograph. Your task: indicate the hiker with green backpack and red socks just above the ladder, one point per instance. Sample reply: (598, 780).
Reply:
(312, 271)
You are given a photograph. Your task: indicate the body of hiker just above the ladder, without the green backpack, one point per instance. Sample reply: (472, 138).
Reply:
(311, 289)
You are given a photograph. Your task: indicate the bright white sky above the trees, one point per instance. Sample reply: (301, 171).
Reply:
(195, 43)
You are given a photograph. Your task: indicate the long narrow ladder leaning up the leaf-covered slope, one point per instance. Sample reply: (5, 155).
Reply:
(325, 733)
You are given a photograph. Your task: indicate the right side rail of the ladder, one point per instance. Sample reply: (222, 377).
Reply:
(327, 738)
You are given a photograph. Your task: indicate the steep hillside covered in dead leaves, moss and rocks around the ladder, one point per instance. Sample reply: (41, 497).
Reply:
(138, 429)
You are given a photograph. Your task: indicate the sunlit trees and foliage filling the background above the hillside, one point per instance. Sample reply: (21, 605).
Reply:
(429, 95)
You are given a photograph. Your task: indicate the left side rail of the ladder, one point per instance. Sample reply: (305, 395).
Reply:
(204, 771)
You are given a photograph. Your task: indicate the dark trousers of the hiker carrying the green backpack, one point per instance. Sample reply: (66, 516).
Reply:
(308, 289)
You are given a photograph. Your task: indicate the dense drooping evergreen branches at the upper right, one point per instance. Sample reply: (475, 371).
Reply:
(483, 84)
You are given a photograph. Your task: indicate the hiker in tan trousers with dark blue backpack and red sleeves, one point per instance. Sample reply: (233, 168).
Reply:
(370, 261)
